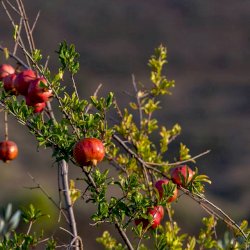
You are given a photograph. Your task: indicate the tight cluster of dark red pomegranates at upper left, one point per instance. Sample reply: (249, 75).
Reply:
(28, 84)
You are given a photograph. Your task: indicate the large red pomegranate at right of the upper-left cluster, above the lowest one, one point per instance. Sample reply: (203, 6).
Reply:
(36, 93)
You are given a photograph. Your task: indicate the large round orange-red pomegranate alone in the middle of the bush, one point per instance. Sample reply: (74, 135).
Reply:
(88, 151)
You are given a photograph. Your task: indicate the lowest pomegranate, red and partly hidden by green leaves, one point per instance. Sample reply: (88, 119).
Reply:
(157, 214)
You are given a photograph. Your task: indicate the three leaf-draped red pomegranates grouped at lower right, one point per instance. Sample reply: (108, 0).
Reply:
(181, 176)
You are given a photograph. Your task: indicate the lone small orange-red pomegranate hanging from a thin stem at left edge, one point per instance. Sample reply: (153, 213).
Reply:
(8, 150)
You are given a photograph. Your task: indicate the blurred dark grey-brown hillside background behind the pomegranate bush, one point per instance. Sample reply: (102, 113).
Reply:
(209, 57)
